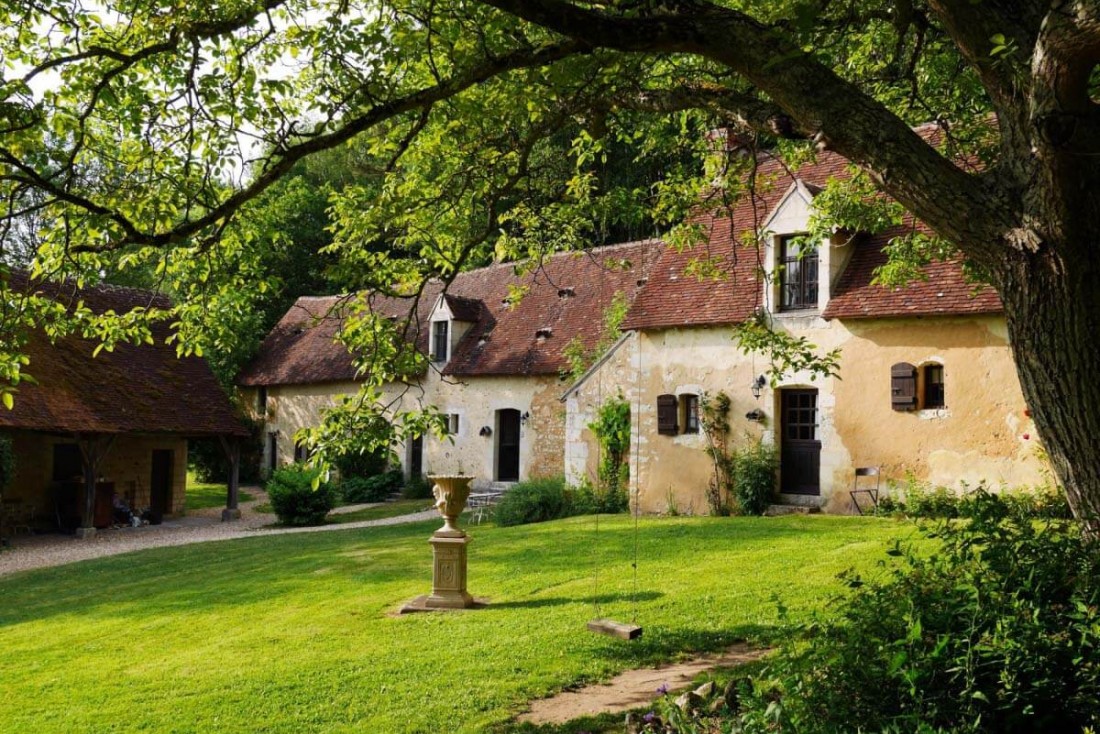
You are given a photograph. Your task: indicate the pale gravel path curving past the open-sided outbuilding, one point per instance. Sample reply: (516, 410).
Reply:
(31, 552)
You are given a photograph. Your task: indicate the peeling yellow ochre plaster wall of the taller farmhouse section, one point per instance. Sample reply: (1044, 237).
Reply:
(980, 435)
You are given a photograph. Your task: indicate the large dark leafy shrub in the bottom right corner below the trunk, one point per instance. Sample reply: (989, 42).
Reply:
(996, 631)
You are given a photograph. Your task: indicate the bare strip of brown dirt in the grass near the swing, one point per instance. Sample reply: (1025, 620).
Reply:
(634, 688)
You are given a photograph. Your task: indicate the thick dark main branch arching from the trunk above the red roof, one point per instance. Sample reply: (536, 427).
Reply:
(846, 119)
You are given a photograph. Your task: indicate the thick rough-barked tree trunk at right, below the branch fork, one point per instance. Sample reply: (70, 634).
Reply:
(1053, 311)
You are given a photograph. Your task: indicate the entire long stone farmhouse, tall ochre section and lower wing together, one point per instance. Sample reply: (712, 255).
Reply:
(927, 386)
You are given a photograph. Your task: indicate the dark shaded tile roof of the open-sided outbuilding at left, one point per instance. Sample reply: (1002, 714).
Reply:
(134, 390)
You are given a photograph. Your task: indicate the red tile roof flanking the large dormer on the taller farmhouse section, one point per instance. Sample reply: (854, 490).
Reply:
(675, 298)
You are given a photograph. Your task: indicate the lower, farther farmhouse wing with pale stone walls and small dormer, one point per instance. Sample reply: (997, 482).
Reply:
(497, 368)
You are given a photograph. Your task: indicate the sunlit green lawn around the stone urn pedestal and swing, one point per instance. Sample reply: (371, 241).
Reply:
(295, 633)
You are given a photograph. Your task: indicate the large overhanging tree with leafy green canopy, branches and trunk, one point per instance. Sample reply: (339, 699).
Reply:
(137, 135)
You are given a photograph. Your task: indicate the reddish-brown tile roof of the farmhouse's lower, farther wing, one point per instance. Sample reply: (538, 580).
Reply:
(566, 298)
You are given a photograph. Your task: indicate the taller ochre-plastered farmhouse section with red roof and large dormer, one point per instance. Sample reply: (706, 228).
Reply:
(927, 388)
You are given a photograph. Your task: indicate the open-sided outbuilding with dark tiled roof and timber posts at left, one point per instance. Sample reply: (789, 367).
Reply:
(114, 423)
